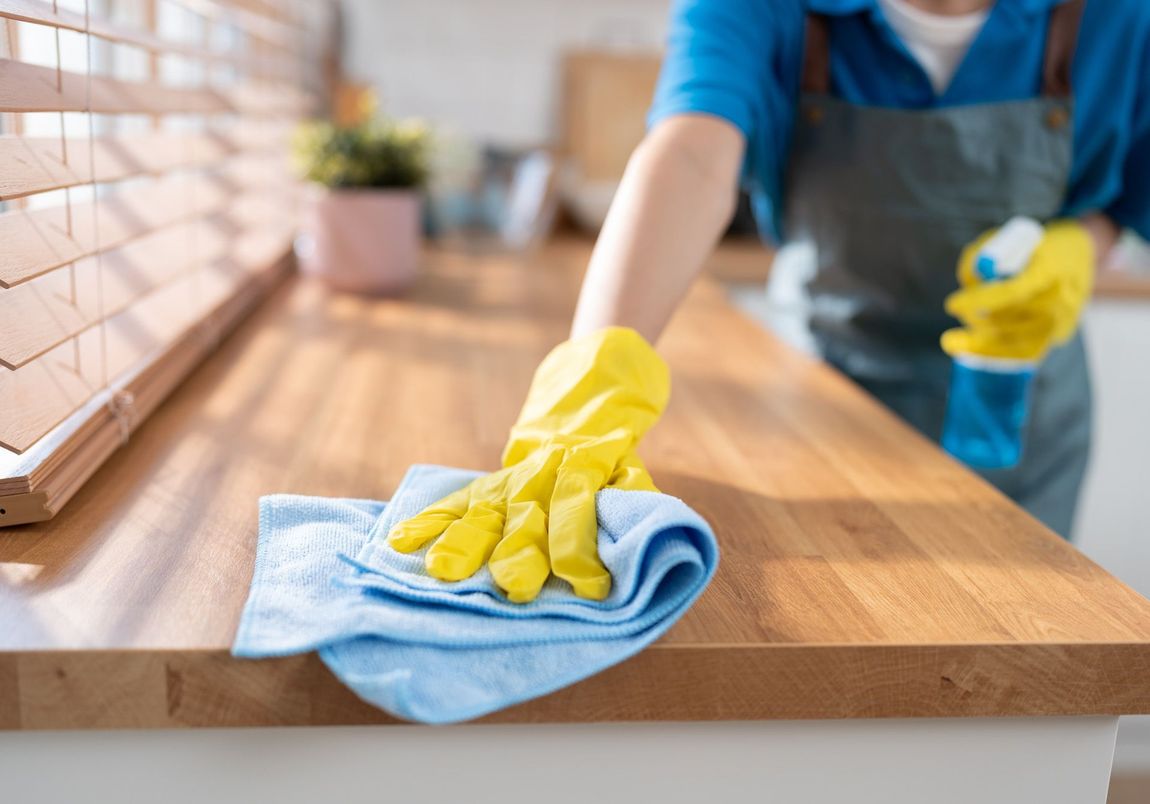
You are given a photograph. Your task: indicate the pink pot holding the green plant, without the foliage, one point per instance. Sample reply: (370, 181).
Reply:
(364, 241)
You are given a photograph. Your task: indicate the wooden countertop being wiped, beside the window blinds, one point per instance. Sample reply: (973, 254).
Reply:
(864, 573)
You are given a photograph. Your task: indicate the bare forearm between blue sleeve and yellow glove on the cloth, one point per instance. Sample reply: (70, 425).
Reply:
(674, 203)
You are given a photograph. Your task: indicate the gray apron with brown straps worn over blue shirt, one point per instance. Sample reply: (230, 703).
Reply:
(888, 198)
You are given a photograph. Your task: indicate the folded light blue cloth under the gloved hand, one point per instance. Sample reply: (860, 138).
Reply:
(440, 653)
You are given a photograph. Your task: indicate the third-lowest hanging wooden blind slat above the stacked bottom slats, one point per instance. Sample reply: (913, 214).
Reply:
(37, 242)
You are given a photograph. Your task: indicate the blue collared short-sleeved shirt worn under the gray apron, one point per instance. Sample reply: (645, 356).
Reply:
(741, 60)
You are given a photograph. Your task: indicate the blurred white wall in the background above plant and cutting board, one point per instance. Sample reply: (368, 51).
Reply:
(488, 70)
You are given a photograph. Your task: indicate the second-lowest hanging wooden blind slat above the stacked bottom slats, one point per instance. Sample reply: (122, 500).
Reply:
(40, 316)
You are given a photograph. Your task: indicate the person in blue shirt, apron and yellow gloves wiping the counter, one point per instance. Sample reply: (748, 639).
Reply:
(891, 135)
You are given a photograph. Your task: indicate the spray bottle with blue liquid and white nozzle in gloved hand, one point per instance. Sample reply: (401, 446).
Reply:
(990, 399)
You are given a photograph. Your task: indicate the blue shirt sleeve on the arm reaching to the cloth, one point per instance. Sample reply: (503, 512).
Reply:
(717, 63)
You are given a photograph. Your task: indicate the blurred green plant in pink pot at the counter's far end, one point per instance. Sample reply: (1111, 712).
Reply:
(364, 216)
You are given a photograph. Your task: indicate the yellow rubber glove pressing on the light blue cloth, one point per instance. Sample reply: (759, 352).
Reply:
(592, 401)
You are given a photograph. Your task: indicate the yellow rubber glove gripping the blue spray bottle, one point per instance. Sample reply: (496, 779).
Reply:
(1023, 317)
